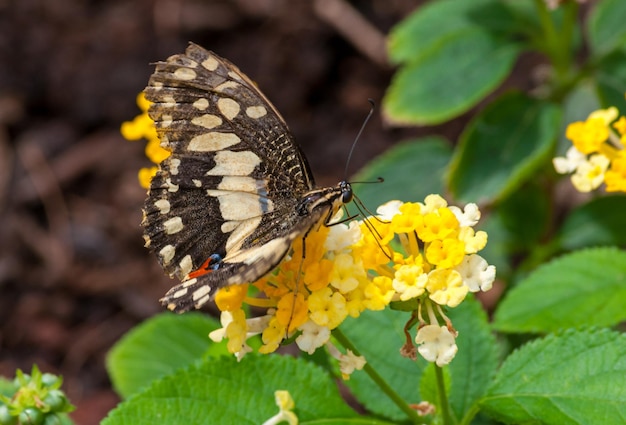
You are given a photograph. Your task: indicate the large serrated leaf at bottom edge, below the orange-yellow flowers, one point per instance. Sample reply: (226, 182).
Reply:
(225, 391)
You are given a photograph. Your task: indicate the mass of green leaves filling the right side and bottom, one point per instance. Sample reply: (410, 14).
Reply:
(561, 266)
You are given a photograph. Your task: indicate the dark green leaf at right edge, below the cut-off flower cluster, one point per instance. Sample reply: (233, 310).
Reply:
(598, 222)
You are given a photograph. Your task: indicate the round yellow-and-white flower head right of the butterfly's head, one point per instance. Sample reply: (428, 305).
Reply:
(438, 259)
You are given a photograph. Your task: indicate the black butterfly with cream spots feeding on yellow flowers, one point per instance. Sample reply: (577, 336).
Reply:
(225, 207)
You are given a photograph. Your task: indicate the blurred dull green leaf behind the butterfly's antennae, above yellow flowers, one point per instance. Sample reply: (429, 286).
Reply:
(412, 170)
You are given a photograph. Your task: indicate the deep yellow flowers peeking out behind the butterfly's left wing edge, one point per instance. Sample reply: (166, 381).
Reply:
(142, 127)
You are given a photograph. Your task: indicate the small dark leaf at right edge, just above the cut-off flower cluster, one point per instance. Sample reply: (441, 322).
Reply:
(610, 76)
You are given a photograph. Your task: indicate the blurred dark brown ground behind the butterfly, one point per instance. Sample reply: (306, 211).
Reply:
(74, 276)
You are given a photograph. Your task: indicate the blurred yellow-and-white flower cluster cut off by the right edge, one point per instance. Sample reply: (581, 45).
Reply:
(597, 154)
